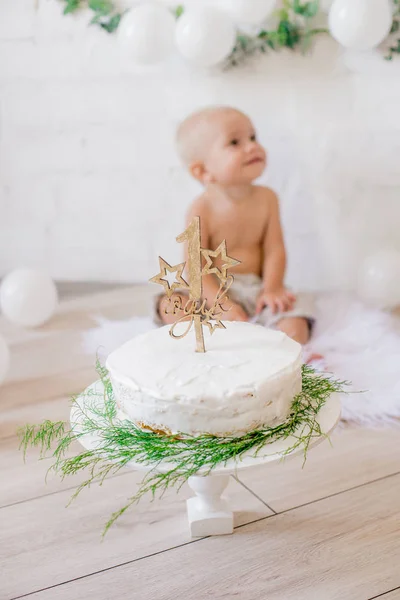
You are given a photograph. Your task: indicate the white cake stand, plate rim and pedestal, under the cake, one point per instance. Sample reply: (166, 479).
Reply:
(208, 511)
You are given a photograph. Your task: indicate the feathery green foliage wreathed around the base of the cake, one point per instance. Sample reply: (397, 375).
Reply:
(122, 441)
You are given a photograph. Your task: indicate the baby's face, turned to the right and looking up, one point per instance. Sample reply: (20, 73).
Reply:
(234, 156)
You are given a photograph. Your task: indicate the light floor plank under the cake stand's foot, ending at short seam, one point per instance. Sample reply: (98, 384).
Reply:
(42, 543)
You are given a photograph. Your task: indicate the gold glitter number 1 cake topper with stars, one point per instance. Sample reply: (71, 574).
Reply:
(194, 308)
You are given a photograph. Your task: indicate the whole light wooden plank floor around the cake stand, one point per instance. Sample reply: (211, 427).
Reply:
(329, 531)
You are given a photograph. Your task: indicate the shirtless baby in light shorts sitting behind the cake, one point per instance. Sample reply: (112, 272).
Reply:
(219, 146)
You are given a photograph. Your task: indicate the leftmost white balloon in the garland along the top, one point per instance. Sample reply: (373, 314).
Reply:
(146, 33)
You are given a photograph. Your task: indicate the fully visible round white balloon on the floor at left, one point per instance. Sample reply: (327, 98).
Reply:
(28, 297)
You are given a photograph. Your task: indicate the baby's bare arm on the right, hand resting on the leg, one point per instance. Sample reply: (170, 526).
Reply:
(274, 293)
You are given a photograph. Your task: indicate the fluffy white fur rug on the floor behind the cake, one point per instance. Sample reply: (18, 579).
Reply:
(359, 344)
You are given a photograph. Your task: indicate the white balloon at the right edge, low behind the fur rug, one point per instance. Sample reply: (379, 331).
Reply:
(379, 279)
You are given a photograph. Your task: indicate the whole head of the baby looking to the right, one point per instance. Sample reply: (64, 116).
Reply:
(219, 145)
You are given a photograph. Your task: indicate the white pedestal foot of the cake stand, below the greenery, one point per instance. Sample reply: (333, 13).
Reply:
(208, 512)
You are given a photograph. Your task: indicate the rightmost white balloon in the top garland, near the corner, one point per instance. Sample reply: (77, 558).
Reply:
(360, 24)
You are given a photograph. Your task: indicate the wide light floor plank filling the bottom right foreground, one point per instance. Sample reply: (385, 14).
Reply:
(342, 548)
